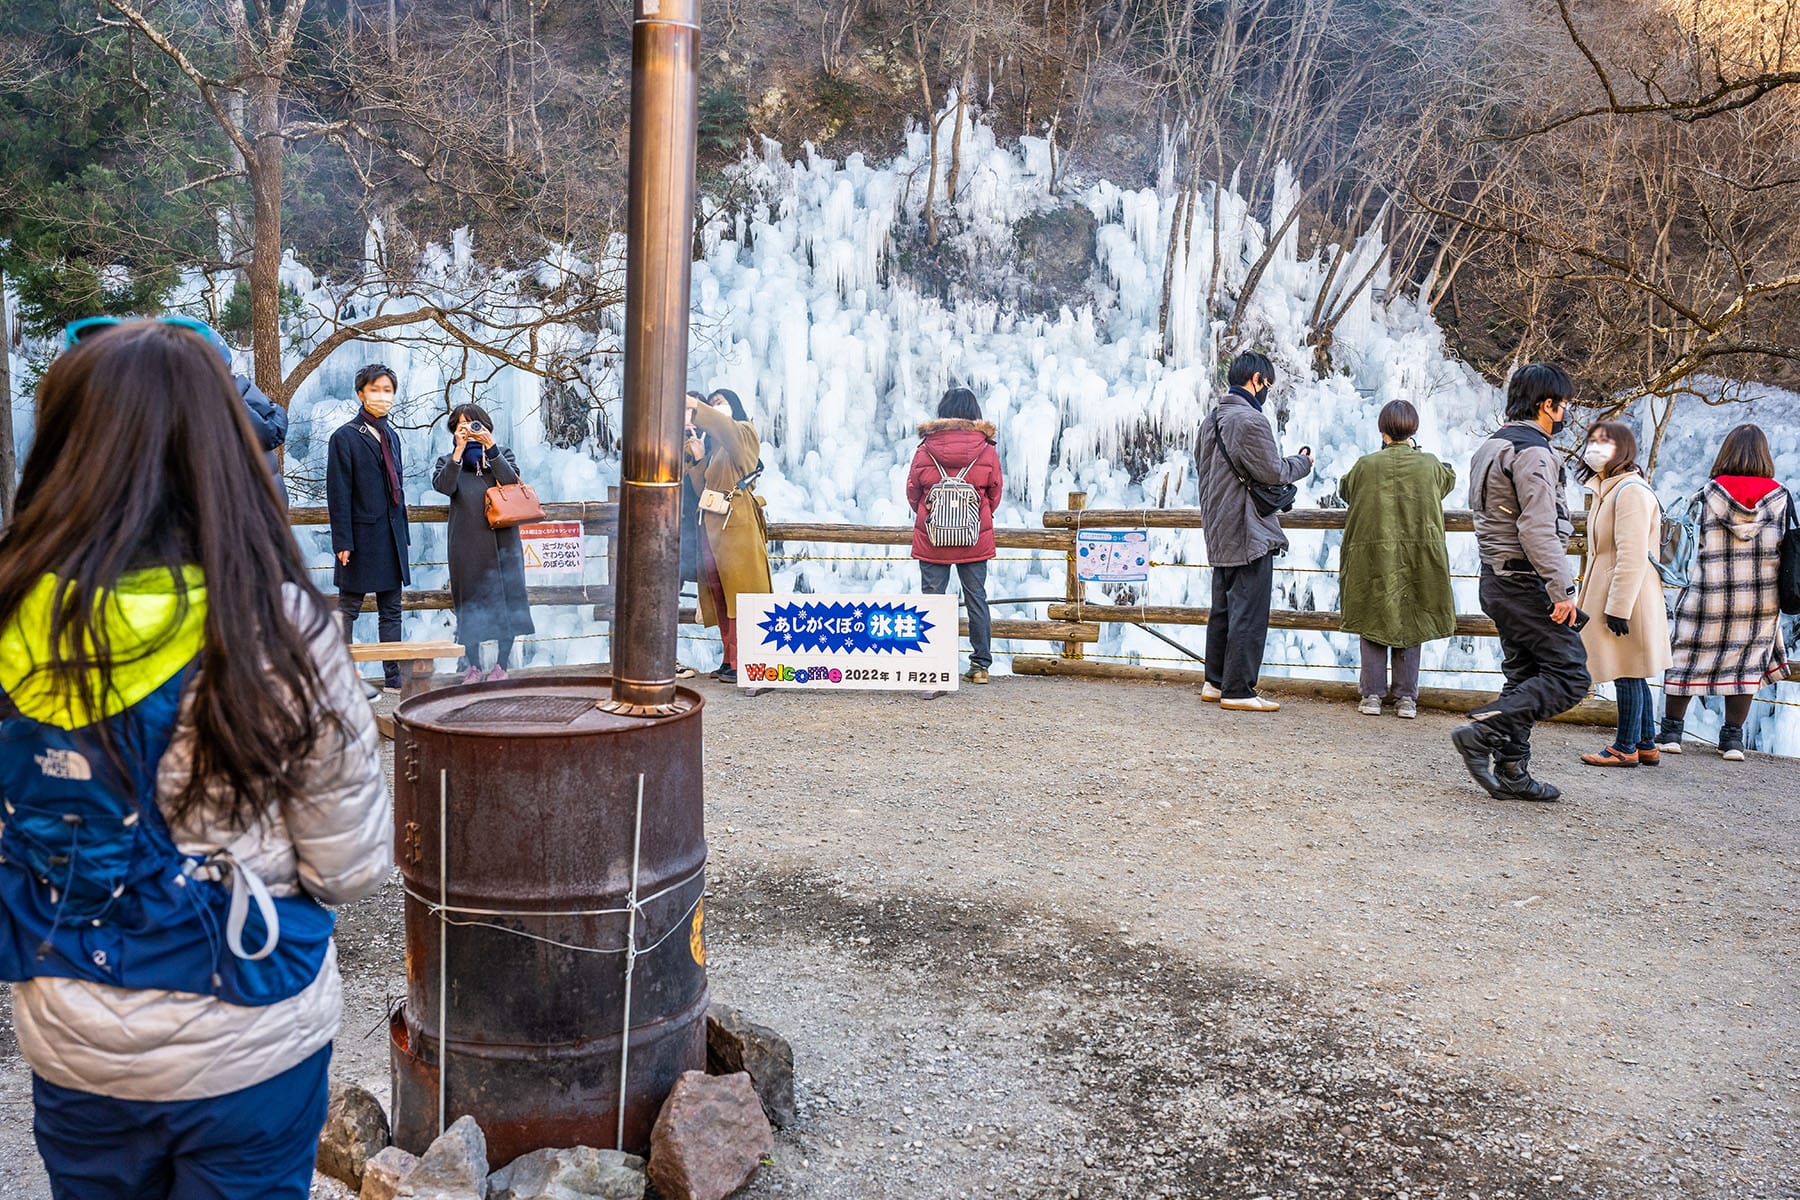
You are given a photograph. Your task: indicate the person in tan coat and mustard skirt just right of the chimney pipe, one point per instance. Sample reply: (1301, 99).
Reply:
(724, 460)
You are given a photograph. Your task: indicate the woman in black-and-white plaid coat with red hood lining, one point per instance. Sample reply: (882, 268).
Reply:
(1727, 627)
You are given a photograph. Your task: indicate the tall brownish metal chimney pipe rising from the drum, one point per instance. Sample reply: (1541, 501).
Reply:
(658, 273)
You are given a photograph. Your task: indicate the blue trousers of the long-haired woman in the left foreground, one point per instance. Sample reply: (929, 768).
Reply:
(258, 1142)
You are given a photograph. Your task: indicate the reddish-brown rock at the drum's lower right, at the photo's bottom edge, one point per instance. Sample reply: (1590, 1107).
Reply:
(710, 1138)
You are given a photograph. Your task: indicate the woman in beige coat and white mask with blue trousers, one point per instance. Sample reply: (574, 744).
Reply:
(1628, 625)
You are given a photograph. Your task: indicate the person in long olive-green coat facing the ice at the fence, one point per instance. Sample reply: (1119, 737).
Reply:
(1394, 569)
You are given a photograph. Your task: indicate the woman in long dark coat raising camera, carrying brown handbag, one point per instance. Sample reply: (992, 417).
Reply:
(487, 566)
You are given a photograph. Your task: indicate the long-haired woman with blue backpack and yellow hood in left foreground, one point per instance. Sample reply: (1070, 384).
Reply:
(190, 769)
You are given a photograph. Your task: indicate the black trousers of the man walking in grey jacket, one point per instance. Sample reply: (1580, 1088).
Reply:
(1545, 663)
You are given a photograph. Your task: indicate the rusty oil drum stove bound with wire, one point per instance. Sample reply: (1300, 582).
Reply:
(541, 791)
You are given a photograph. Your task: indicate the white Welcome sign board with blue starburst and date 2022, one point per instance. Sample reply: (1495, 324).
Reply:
(849, 643)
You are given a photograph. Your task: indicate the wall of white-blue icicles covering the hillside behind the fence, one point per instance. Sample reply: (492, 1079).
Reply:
(805, 309)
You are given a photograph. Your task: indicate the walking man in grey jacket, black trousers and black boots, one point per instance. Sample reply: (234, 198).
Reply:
(1522, 526)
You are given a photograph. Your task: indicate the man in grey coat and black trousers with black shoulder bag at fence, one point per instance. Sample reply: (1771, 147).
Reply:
(1237, 451)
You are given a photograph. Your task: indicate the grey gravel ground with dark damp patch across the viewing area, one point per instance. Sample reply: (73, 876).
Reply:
(1065, 938)
